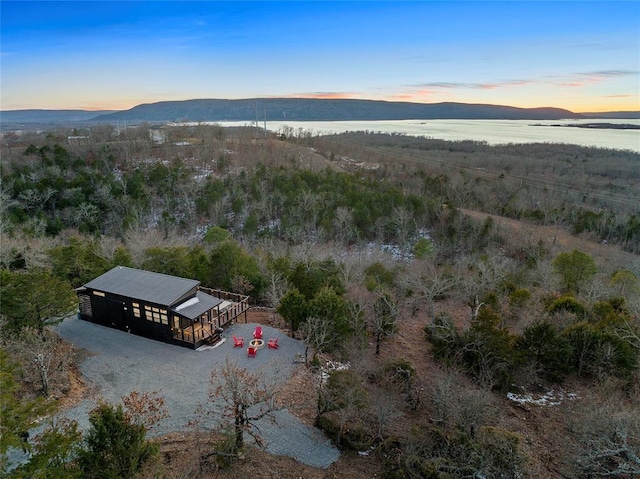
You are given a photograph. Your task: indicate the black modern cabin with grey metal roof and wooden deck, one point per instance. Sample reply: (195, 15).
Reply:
(158, 306)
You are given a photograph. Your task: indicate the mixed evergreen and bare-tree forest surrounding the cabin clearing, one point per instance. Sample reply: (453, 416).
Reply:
(456, 279)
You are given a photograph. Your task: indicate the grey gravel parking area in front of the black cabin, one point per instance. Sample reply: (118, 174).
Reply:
(123, 362)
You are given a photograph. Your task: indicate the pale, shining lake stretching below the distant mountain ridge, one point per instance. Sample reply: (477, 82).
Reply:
(493, 132)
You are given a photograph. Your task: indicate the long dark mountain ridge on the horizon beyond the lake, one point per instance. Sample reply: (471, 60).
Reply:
(298, 109)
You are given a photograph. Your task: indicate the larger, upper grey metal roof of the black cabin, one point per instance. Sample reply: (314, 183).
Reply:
(144, 285)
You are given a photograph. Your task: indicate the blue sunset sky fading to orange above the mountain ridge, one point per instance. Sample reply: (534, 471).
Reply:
(580, 55)
